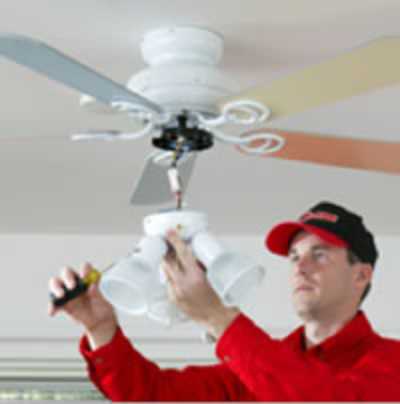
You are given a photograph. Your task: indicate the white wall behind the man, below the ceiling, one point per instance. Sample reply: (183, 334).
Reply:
(27, 261)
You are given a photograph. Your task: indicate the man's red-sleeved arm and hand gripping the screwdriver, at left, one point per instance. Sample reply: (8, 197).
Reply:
(121, 372)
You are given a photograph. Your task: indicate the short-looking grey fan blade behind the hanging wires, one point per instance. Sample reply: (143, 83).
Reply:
(153, 187)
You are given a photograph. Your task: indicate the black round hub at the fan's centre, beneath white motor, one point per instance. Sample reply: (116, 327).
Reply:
(193, 137)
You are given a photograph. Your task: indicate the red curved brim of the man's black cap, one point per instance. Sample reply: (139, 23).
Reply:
(279, 238)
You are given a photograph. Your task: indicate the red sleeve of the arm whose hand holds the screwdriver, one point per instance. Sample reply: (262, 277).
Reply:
(123, 374)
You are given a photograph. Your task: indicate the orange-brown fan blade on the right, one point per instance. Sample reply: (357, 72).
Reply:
(337, 151)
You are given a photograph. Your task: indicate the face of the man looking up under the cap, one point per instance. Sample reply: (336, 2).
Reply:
(323, 282)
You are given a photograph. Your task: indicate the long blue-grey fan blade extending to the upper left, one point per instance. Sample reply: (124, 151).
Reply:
(59, 67)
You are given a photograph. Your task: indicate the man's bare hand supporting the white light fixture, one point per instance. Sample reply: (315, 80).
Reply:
(190, 290)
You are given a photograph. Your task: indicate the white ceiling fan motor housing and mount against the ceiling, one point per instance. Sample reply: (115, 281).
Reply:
(183, 70)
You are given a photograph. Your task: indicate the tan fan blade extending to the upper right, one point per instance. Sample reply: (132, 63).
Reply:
(364, 69)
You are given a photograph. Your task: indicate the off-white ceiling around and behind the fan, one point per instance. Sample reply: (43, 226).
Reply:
(49, 184)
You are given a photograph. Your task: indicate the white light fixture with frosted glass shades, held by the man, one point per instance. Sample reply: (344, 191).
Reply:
(136, 285)
